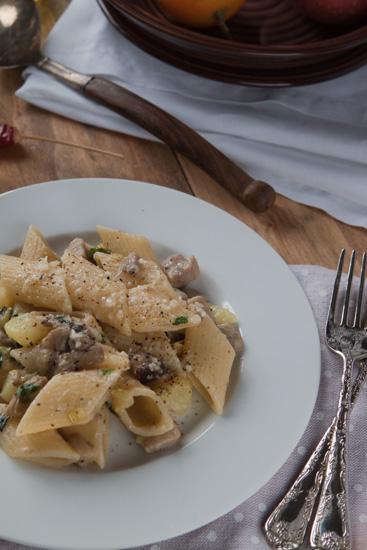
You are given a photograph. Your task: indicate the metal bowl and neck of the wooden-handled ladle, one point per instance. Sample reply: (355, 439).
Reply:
(20, 41)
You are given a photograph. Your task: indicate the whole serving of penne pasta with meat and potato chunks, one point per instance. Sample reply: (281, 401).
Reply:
(103, 330)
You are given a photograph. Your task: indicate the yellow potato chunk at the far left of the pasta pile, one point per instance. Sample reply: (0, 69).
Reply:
(27, 329)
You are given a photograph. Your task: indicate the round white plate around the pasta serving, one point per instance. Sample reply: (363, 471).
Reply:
(222, 460)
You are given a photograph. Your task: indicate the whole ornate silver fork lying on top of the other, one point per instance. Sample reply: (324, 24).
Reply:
(330, 530)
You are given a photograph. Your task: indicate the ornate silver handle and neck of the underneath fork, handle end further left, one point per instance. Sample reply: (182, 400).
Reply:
(287, 525)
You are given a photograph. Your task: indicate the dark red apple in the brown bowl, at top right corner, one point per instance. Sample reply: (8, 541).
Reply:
(335, 12)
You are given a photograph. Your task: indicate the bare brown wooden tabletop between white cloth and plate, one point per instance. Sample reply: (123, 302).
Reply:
(300, 234)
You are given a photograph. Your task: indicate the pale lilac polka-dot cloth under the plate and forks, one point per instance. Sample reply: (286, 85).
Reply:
(241, 529)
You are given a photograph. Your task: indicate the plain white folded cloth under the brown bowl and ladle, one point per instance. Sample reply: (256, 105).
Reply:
(308, 142)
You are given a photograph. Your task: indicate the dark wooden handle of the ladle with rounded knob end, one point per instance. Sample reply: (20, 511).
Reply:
(256, 195)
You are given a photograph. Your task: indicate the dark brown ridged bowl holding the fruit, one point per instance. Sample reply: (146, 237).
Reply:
(272, 44)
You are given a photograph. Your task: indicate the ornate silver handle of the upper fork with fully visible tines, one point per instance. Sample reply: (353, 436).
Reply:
(330, 530)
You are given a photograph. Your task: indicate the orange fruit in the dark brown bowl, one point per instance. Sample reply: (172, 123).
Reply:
(200, 13)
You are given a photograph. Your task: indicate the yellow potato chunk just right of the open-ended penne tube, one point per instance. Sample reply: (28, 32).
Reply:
(176, 394)
